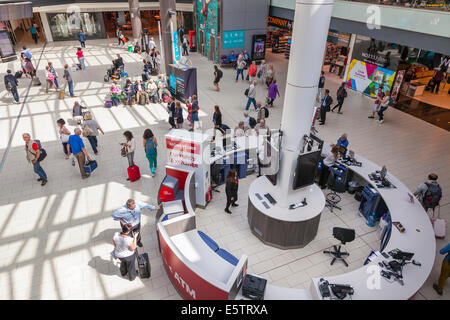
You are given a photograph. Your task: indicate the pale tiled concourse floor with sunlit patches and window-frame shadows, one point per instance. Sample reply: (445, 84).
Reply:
(55, 240)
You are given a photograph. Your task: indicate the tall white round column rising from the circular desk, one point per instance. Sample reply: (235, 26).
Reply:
(309, 37)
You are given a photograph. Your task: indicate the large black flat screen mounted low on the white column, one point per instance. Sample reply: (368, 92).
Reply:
(306, 170)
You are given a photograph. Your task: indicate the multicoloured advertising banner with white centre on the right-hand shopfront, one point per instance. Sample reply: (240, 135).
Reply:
(367, 78)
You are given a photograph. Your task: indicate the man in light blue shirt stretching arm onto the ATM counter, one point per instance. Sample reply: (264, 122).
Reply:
(131, 213)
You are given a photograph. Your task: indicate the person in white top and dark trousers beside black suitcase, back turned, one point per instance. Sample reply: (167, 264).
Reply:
(125, 250)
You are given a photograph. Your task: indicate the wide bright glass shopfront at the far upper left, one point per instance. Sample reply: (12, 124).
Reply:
(65, 26)
